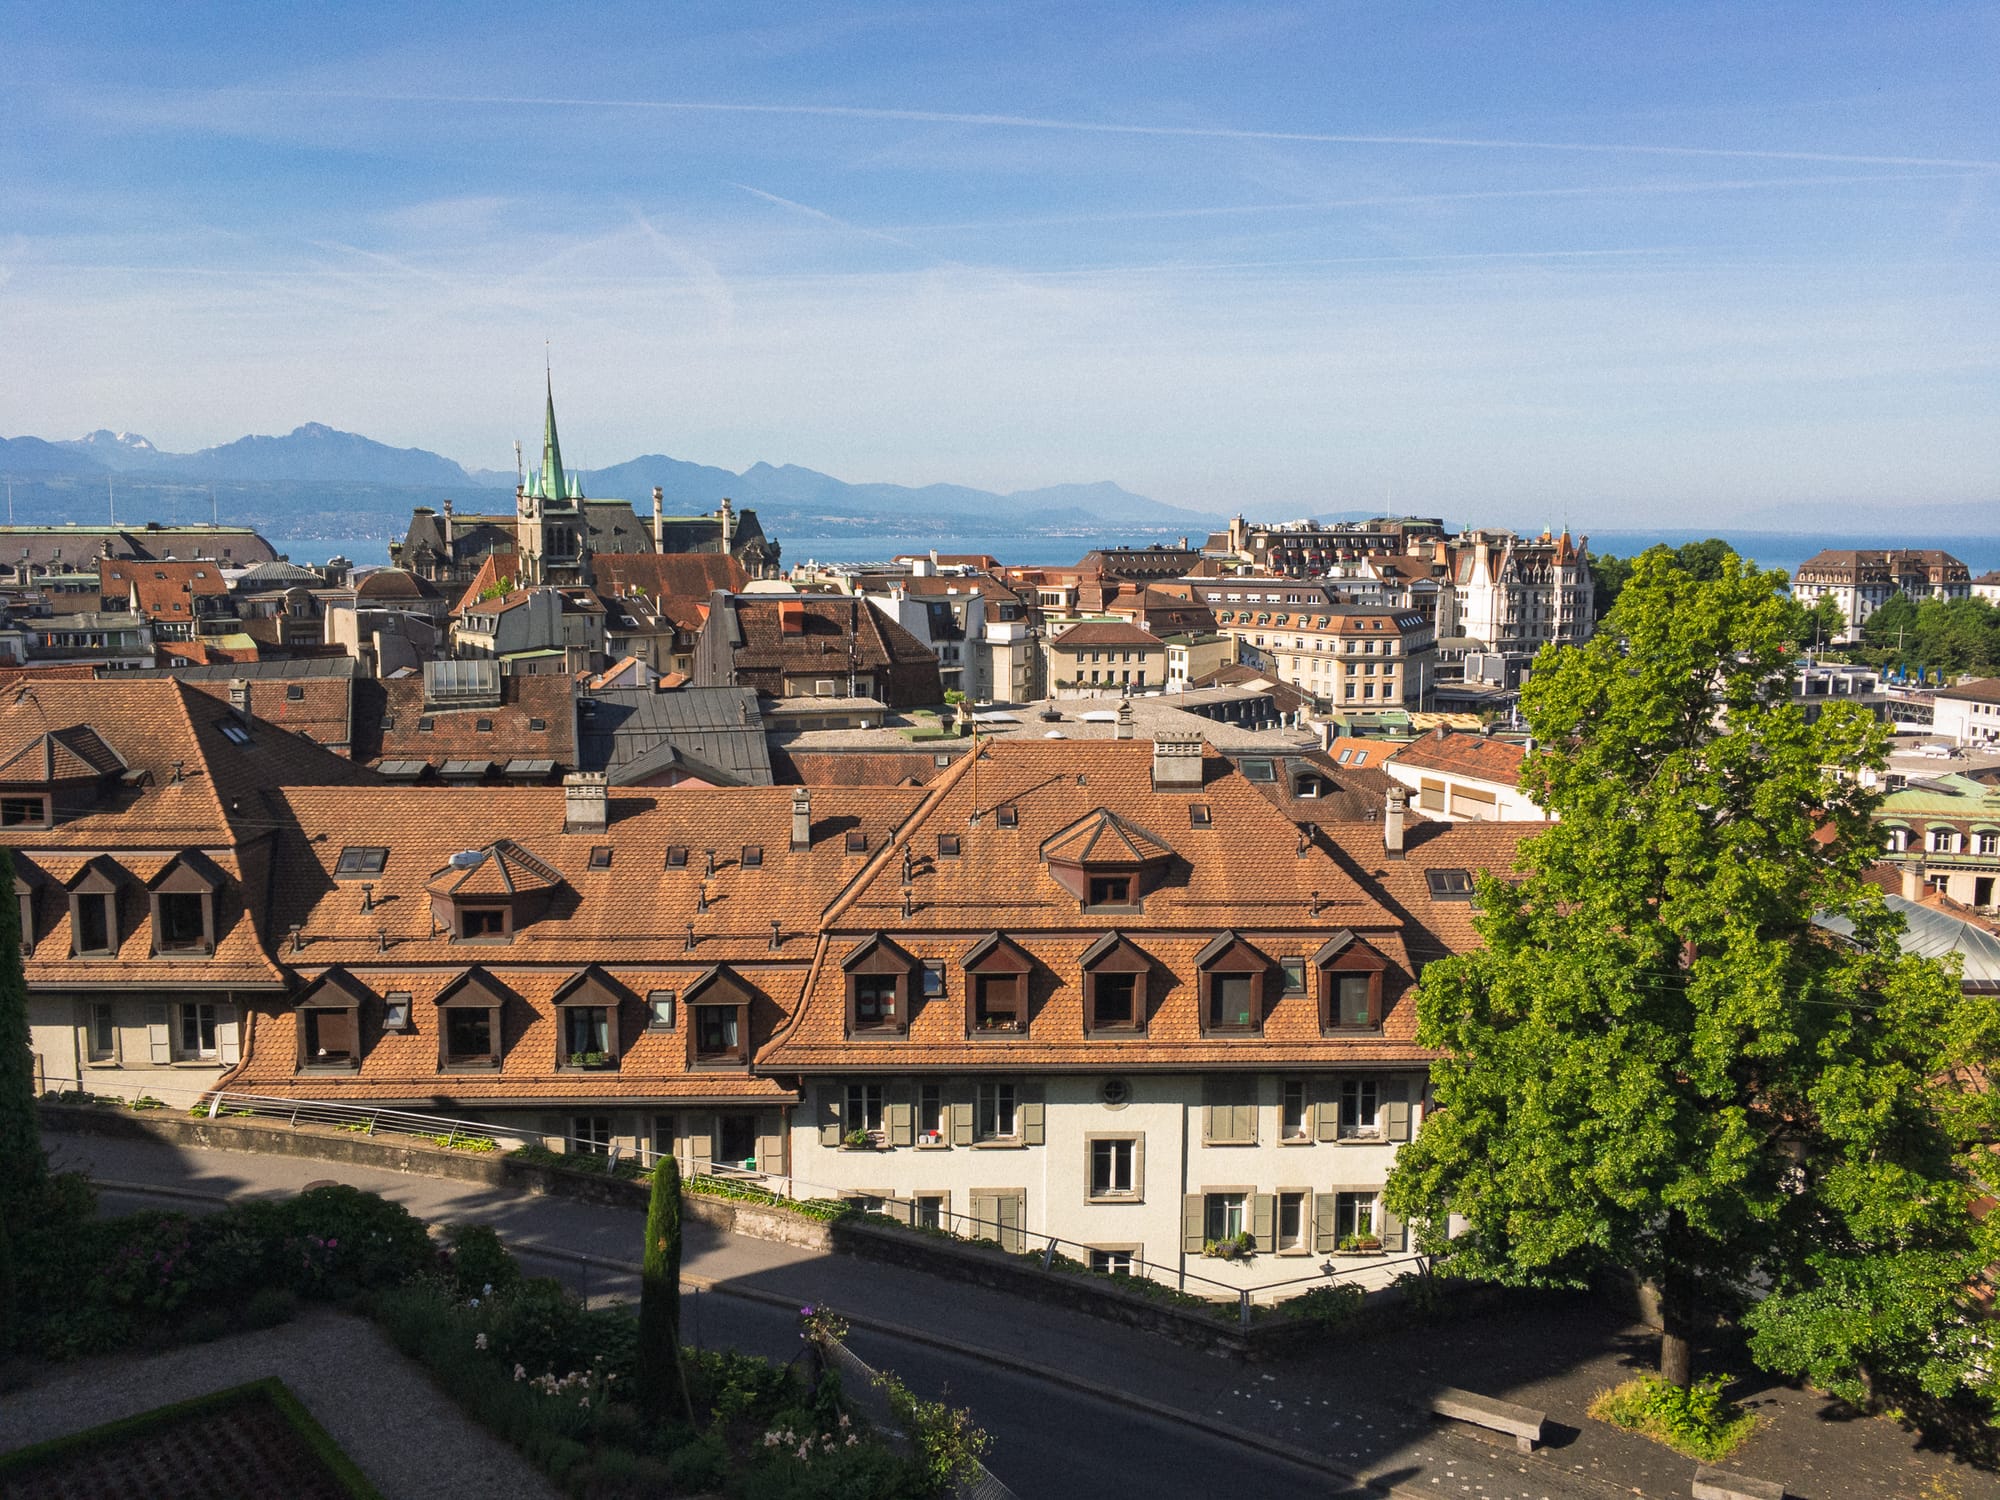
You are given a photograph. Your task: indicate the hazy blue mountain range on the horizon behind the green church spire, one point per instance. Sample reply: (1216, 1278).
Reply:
(315, 459)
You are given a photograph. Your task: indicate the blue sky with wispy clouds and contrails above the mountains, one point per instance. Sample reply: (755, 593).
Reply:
(1619, 263)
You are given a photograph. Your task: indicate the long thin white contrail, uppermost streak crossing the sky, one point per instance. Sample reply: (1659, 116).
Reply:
(1097, 127)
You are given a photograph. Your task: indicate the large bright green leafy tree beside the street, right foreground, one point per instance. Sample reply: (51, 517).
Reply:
(1661, 1065)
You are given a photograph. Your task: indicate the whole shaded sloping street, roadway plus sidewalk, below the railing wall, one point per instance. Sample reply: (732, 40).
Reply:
(1033, 1373)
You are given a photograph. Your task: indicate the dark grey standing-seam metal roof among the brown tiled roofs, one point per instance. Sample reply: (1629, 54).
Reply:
(715, 727)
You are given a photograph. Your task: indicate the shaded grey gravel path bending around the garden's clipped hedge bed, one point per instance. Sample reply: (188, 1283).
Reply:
(375, 1403)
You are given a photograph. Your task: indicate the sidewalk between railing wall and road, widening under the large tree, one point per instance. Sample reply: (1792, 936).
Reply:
(1359, 1407)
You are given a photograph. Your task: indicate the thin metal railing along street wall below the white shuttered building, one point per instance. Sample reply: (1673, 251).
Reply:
(919, 1215)
